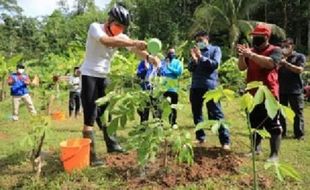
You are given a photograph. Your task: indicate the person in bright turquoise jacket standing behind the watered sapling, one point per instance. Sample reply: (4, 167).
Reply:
(170, 70)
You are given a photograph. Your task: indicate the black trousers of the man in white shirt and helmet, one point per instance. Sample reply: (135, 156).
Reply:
(92, 89)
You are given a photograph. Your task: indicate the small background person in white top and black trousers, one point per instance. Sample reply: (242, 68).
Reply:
(75, 92)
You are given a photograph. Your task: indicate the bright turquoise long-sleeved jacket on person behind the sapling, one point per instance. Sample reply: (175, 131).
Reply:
(170, 73)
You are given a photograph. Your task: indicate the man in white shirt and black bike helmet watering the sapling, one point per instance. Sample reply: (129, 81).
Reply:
(102, 42)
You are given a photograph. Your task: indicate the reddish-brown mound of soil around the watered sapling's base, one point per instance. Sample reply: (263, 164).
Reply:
(208, 162)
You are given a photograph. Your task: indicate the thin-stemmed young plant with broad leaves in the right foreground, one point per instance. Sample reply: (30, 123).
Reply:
(247, 104)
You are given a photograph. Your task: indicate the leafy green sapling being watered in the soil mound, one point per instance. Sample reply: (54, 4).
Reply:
(125, 98)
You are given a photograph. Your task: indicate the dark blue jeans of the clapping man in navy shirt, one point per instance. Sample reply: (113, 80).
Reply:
(214, 111)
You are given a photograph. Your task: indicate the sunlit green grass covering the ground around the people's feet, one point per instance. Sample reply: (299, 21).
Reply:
(16, 171)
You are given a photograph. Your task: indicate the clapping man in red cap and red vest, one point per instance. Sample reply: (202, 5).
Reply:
(261, 63)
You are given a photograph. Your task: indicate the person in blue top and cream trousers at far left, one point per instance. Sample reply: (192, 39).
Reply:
(19, 91)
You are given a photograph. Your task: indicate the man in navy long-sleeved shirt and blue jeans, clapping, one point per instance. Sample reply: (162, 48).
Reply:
(206, 58)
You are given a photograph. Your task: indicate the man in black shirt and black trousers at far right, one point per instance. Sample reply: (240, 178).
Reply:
(291, 86)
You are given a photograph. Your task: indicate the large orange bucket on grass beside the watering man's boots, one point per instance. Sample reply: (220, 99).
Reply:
(75, 154)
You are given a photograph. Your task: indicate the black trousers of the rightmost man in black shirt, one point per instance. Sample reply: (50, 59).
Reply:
(296, 102)
